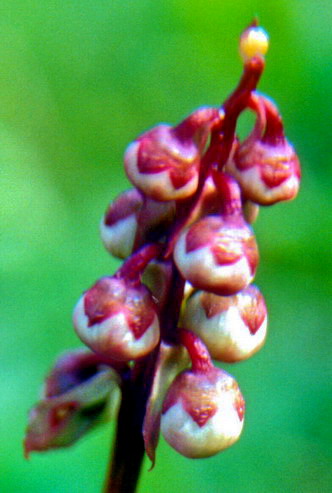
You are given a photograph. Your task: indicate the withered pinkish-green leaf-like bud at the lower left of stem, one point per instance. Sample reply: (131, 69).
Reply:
(80, 393)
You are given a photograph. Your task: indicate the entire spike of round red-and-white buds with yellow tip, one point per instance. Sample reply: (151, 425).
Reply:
(184, 294)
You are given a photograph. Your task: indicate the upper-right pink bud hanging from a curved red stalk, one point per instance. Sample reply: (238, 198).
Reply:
(266, 165)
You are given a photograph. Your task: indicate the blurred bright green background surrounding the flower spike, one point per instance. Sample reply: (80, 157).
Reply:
(79, 80)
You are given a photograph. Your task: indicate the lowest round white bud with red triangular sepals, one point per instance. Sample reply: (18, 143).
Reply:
(203, 413)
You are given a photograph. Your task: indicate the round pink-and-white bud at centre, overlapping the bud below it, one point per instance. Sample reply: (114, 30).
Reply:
(217, 254)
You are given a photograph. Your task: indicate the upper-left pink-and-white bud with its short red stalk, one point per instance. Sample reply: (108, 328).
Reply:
(164, 162)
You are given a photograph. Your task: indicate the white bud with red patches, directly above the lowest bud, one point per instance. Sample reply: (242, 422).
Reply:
(233, 328)
